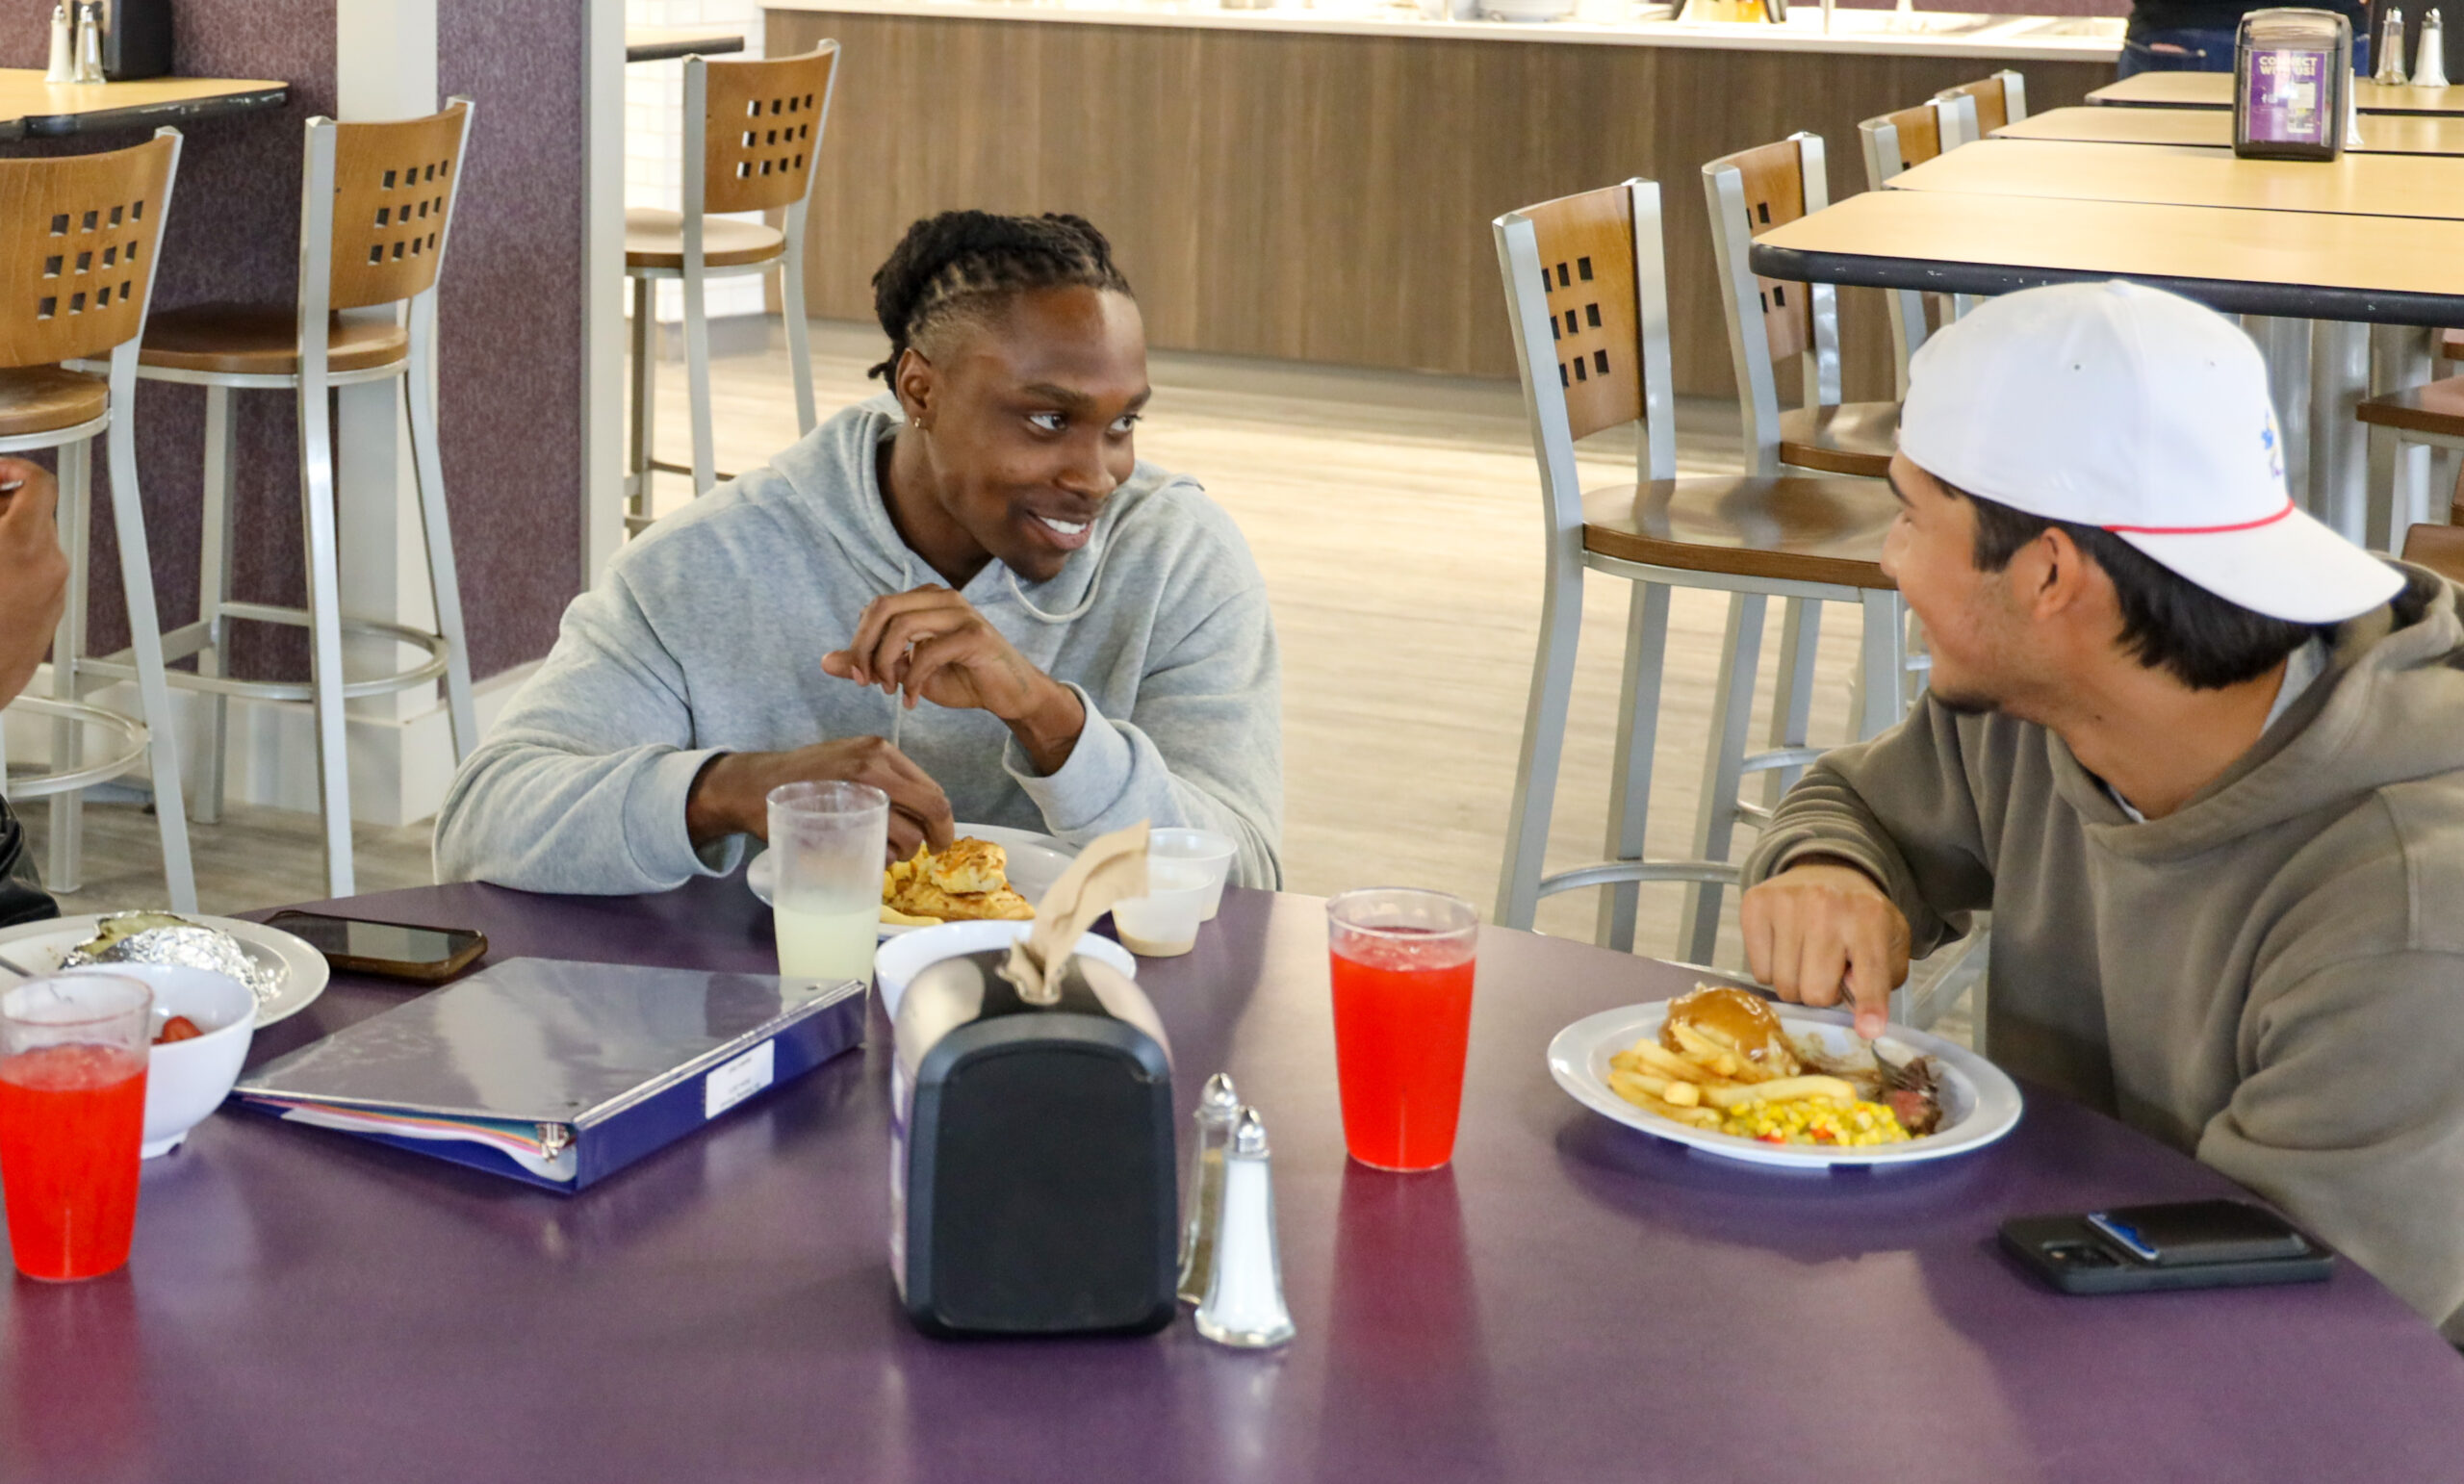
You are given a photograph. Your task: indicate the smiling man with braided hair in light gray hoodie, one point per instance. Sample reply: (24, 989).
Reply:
(970, 595)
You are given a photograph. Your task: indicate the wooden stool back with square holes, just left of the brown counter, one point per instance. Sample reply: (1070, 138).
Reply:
(760, 127)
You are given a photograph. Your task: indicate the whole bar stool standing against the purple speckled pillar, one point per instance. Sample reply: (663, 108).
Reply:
(376, 211)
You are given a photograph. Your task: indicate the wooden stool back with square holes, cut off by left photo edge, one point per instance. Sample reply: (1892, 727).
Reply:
(78, 250)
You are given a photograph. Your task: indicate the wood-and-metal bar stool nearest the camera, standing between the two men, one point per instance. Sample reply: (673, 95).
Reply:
(1588, 297)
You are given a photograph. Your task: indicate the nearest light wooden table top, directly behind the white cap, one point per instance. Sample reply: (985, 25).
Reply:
(2303, 265)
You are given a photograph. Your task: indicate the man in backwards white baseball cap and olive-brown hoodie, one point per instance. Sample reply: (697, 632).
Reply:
(2199, 756)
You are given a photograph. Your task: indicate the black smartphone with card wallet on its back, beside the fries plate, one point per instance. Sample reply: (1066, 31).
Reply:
(2150, 1249)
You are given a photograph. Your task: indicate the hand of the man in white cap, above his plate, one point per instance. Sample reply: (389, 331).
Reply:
(1822, 926)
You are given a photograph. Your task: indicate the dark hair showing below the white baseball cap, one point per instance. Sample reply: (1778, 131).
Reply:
(2167, 620)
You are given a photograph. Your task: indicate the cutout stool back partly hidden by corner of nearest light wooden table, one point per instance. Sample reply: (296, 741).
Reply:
(1770, 319)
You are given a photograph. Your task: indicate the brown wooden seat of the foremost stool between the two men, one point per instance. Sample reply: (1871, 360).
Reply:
(1785, 529)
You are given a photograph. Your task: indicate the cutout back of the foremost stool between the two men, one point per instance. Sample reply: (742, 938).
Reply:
(1588, 302)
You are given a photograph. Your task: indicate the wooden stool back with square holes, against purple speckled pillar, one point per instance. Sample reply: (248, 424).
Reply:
(393, 201)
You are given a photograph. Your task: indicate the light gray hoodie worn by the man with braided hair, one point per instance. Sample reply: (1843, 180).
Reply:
(708, 632)
